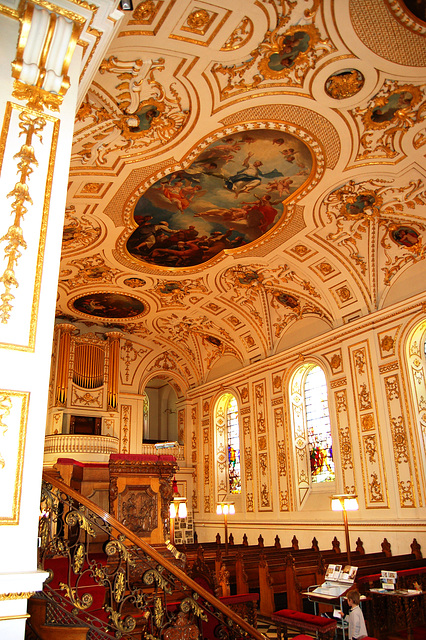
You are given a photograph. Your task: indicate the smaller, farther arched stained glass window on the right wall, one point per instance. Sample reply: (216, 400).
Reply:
(227, 446)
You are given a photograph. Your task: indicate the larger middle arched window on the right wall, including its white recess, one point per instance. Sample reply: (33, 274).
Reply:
(311, 427)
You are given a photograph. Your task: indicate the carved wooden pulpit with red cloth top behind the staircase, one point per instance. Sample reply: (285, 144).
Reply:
(140, 493)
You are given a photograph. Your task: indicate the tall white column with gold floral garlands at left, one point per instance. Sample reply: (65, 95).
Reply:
(38, 100)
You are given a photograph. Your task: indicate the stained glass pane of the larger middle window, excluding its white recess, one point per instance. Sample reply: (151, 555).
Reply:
(318, 426)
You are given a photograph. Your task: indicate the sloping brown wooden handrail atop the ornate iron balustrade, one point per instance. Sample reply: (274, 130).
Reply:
(153, 553)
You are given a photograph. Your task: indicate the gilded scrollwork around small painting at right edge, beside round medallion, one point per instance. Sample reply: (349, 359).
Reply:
(390, 114)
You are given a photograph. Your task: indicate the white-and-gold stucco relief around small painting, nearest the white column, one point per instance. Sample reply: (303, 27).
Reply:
(145, 114)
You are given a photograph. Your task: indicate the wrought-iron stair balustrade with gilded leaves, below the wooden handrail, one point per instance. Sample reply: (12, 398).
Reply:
(133, 585)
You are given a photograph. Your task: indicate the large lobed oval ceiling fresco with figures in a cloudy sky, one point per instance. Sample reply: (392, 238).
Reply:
(229, 196)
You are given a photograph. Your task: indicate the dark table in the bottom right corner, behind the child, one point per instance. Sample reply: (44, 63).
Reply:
(395, 610)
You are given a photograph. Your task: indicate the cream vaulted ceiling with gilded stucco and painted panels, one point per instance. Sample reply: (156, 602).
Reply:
(244, 175)
